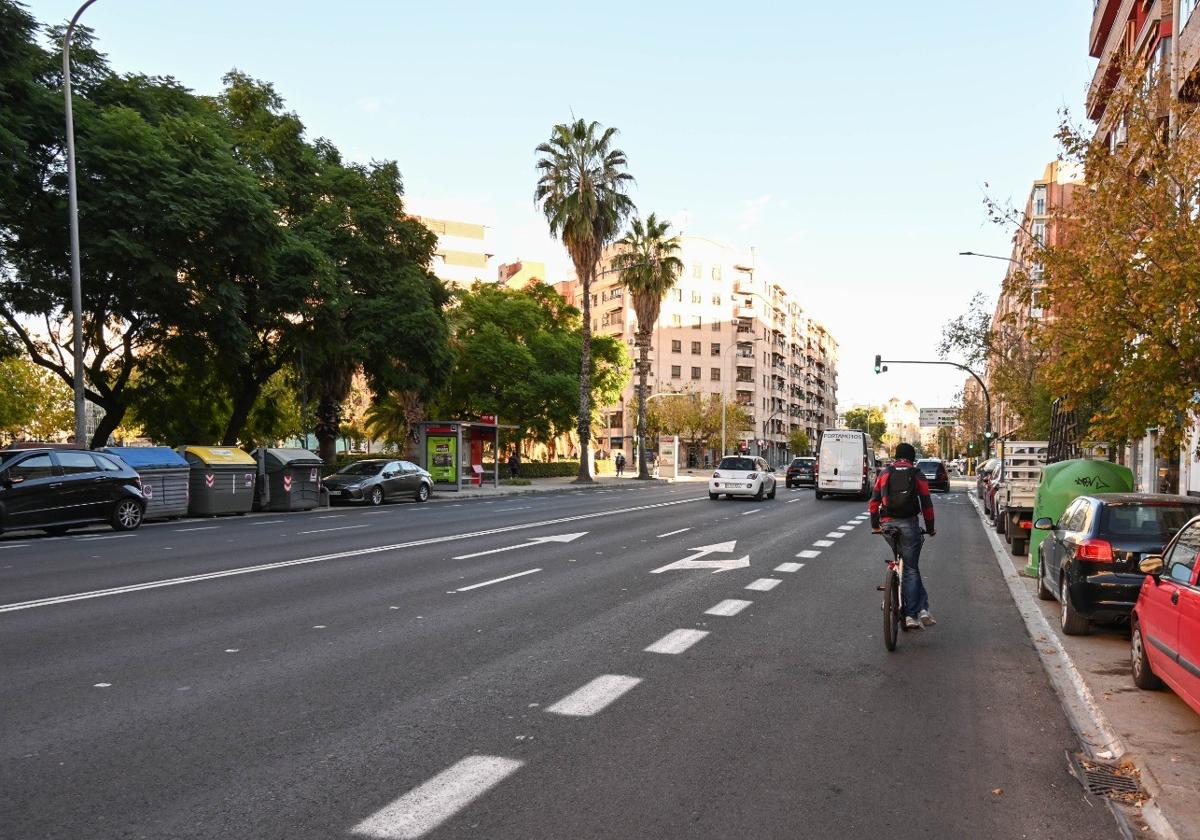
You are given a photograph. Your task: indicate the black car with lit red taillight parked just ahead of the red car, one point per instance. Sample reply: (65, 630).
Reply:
(1091, 560)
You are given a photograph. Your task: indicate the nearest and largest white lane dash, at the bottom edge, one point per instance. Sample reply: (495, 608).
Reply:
(429, 806)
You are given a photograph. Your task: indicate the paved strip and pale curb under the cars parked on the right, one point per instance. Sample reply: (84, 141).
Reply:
(1154, 730)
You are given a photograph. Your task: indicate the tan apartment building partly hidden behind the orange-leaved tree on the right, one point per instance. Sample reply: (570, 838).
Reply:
(1049, 195)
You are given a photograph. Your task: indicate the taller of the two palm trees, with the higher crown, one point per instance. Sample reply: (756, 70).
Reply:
(581, 189)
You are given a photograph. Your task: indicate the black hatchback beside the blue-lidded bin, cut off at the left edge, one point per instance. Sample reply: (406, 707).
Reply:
(53, 490)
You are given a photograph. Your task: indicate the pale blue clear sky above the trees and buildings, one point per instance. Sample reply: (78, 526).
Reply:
(850, 145)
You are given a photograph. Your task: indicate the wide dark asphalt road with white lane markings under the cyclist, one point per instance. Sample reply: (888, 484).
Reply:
(345, 674)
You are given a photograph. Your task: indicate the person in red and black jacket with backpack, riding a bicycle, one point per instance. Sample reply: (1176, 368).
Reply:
(901, 495)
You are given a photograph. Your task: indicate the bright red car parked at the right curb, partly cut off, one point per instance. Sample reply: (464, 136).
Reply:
(1165, 637)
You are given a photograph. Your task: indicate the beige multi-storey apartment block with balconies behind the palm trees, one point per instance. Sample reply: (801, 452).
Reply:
(724, 331)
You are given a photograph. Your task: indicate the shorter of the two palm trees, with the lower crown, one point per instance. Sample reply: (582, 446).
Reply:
(649, 269)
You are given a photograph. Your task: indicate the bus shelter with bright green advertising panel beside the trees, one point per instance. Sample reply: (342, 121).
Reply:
(454, 452)
